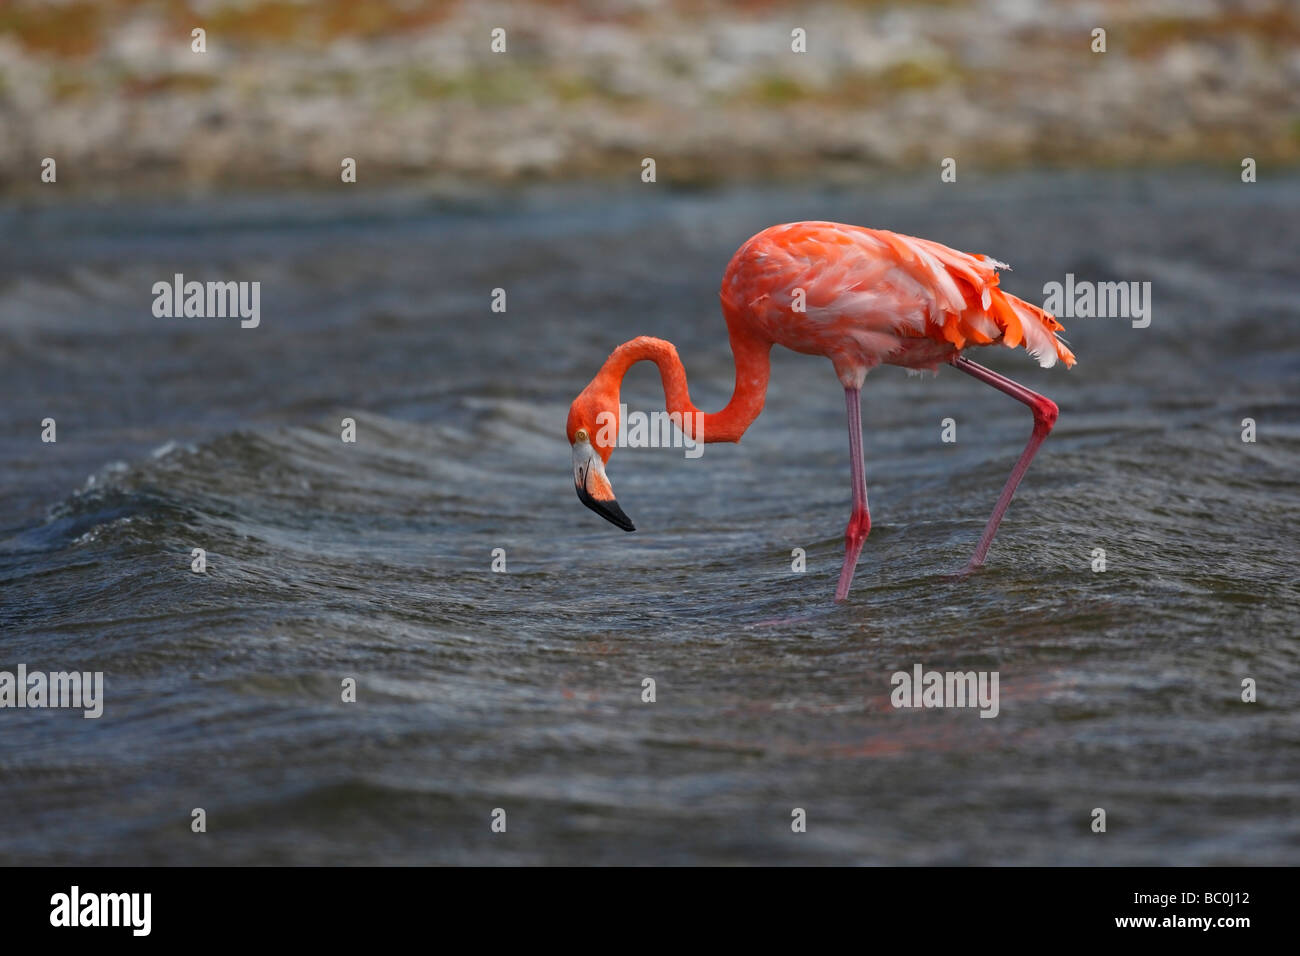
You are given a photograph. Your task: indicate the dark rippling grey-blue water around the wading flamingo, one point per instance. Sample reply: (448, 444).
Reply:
(523, 690)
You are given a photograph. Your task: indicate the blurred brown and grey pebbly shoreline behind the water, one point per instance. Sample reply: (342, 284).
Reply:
(588, 89)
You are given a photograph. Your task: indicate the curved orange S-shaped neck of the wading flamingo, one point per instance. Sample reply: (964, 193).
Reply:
(753, 366)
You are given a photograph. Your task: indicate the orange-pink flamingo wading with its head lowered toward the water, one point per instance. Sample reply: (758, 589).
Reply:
(860, 297)
